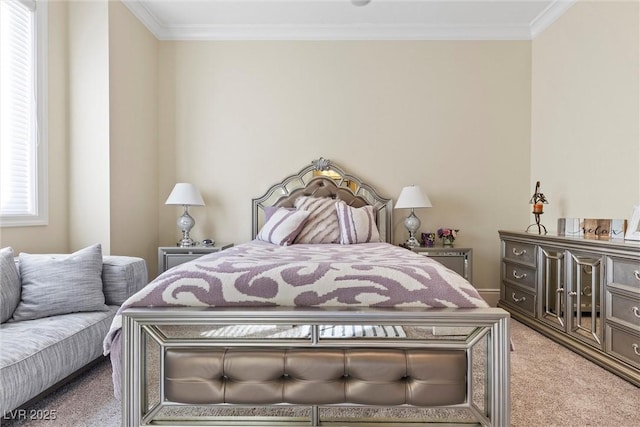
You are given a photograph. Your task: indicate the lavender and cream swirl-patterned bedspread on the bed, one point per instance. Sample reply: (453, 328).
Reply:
(261, 274)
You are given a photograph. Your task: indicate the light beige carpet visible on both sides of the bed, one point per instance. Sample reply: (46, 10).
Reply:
(550, 386)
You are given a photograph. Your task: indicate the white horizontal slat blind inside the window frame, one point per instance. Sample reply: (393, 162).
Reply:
(18, 108)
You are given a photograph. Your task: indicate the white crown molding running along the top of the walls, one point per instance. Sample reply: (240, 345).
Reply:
(164, 31)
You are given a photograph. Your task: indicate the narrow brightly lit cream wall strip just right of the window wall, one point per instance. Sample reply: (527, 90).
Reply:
(89, 198)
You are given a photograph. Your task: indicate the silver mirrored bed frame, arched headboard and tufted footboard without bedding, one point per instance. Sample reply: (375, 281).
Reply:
(453, 362)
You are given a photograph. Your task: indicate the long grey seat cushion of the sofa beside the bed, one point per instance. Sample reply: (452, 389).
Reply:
(36, 354)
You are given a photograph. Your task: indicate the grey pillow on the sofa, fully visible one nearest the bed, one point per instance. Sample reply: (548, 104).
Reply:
(61, 284)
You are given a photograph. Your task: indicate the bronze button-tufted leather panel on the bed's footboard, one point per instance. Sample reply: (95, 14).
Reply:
(316, 376)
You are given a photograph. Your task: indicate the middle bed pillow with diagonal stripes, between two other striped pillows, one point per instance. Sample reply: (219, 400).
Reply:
(322, 225)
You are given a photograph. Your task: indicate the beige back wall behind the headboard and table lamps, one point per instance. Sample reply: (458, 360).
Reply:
(452, 117)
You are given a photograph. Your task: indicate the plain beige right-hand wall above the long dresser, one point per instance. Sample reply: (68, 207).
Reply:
(585, 112)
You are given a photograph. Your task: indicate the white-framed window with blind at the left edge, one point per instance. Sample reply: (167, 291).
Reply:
(23, 131)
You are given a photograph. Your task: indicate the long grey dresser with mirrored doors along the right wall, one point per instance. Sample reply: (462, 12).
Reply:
(582, 293)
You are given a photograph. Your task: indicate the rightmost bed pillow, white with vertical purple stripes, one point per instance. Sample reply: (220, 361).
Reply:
(357, 225)
